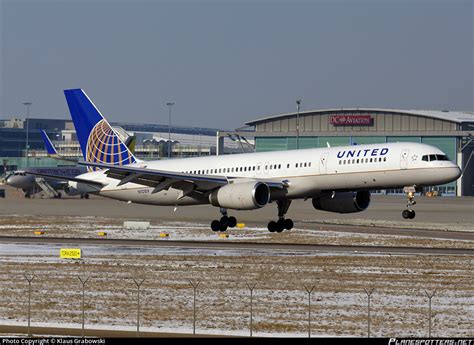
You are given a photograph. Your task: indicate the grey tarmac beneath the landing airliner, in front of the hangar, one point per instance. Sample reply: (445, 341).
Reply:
(440, 211)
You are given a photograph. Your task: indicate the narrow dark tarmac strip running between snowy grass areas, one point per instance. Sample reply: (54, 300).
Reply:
(221, 245)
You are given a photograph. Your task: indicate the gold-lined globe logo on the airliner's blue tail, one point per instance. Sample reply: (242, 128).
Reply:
(104, 146)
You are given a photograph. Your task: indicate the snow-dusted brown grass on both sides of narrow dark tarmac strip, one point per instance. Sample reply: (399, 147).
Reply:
(339, 304)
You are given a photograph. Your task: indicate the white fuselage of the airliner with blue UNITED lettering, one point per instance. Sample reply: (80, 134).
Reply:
(307, 172)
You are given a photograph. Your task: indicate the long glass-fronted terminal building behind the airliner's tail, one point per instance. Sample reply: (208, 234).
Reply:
(151, 141)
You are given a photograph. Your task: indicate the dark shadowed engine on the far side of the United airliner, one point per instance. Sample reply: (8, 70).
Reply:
(344, 202)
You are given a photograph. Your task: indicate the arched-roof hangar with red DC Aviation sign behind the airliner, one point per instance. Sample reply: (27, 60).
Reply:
(450, 131)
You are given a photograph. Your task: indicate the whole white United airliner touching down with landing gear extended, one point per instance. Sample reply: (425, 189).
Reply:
(337, 179)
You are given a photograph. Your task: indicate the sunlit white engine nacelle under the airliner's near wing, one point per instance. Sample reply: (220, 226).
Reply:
(241, 196)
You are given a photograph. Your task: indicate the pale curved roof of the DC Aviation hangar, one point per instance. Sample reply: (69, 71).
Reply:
(453, 116)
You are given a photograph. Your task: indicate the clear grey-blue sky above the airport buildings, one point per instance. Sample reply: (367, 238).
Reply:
(227, 62)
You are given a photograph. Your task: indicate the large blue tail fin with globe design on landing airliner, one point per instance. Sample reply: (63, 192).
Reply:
(99, 141)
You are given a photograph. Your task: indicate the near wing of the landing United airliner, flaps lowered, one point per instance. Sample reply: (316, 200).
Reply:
(162, 179)
